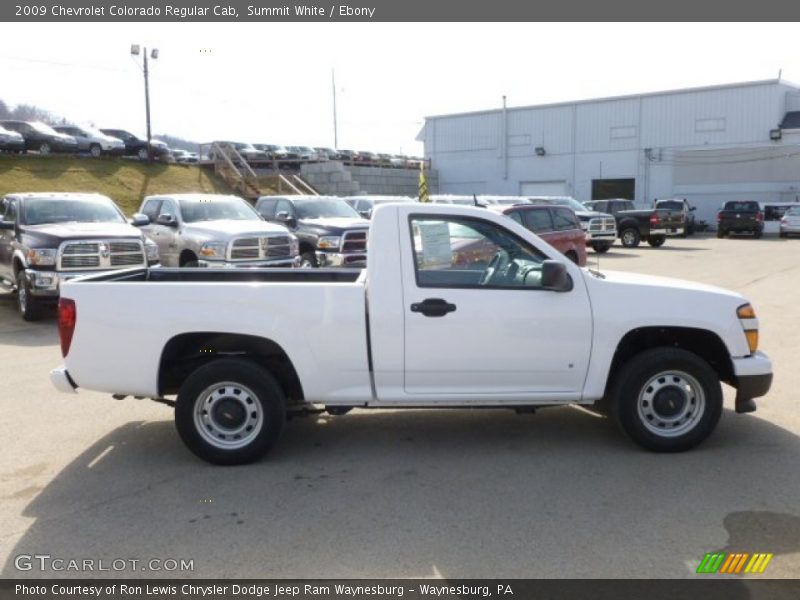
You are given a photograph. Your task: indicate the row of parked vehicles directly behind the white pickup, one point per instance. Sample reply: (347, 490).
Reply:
(48, 238)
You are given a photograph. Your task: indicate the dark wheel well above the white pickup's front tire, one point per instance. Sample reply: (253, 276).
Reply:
(705, 344)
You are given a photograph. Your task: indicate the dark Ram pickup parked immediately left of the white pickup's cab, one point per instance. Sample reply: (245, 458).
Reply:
(331, 233)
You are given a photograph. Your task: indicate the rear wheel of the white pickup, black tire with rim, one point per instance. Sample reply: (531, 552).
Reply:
(241, 392)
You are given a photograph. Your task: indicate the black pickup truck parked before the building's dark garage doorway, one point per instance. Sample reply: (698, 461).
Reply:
(634, 226)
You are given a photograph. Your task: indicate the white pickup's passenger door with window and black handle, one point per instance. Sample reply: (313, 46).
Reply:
(478, 323)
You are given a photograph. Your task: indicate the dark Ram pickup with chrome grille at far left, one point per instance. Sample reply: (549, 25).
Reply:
(47, 238)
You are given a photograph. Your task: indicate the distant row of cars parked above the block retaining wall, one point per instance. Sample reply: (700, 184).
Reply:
(292, 155)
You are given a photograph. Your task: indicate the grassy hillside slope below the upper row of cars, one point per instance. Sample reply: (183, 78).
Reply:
(125, 181)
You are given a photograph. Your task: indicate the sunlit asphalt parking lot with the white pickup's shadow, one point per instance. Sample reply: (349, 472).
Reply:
(459, 493)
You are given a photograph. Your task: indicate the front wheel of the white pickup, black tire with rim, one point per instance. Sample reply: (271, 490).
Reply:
(663, 380)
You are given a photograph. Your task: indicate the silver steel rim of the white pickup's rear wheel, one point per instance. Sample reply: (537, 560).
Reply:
(228, 415)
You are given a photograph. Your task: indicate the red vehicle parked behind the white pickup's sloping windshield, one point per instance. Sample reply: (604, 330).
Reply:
(556, 225)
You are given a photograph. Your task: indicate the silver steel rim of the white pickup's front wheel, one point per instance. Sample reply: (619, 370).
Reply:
(671, 403)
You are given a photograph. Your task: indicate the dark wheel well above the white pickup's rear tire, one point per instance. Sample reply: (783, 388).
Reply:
(186, 352)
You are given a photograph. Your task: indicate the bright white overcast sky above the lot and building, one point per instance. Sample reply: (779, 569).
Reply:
(271, 83)
